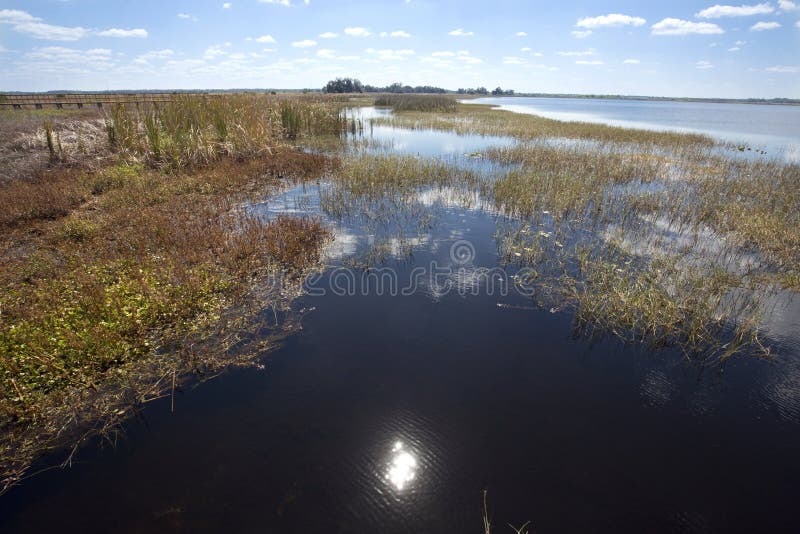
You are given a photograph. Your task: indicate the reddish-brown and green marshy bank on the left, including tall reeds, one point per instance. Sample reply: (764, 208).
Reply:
(120, 278)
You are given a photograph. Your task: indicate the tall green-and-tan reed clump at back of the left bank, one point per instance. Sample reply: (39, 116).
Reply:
(197, 130)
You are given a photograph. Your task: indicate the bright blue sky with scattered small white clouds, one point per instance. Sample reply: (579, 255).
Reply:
(679, 48)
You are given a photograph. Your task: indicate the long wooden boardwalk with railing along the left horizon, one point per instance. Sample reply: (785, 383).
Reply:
(80, 100)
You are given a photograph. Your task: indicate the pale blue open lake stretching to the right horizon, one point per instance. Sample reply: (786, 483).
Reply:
(774, 128)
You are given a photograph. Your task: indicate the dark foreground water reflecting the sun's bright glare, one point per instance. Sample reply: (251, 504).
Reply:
(392, 411)
